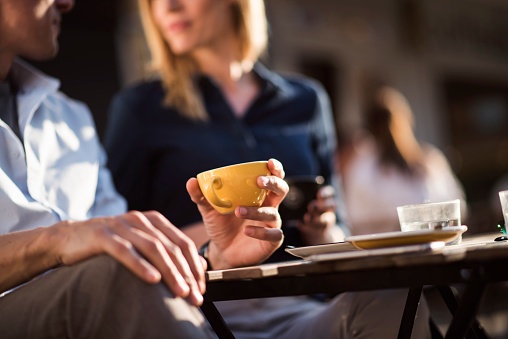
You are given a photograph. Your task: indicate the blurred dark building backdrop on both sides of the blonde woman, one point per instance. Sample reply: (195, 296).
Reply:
(448, 57)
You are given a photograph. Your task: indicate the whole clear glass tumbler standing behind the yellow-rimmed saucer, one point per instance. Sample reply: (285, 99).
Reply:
(434, 215)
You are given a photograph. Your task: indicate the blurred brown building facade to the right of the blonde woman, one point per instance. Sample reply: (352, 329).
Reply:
(448, 57)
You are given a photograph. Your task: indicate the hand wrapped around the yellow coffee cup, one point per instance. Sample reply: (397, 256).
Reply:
(251, 234)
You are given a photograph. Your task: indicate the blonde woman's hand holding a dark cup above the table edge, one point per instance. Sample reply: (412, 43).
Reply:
(319, 223)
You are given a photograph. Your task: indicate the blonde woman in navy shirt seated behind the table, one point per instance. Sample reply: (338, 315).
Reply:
(215, 104)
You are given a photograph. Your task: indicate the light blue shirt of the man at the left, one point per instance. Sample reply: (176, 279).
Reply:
(58, 172)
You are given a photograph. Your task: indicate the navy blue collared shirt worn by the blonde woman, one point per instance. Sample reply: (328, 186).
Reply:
(153, 150)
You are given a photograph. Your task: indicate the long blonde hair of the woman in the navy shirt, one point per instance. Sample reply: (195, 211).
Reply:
(177, 72)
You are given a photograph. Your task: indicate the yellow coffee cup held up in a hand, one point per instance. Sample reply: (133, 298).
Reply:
(235, 185)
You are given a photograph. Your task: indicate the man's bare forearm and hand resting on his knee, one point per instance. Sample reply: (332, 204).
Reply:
(146, 243)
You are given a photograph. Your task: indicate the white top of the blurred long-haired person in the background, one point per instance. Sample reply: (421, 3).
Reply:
(372, 193)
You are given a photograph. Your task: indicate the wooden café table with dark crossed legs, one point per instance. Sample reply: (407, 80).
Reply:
(477, 261)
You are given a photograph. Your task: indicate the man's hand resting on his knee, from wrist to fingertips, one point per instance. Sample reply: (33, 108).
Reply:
(145, 242)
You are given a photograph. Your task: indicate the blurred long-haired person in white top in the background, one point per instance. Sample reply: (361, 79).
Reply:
(385, 166)
